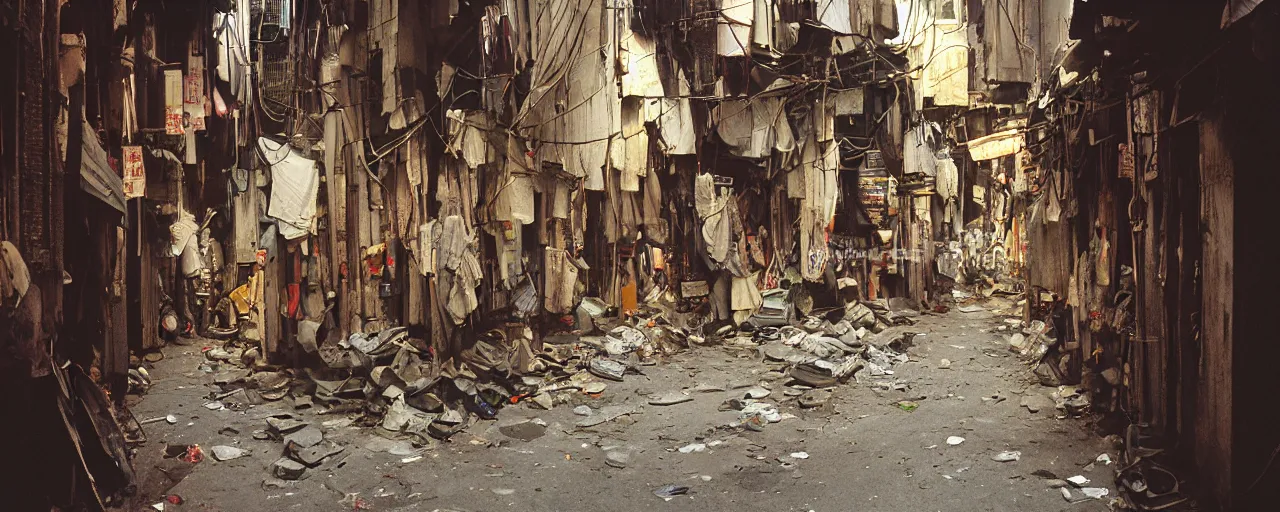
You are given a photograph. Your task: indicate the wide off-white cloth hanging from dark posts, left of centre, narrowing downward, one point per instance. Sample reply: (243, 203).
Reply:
(295, 186)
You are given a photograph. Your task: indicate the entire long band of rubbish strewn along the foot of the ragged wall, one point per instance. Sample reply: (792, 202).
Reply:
(397, 383)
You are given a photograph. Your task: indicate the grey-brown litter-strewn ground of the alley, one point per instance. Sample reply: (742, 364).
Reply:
(861, 451)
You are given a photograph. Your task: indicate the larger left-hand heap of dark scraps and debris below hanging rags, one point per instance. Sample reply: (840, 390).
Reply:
(395, 382)
